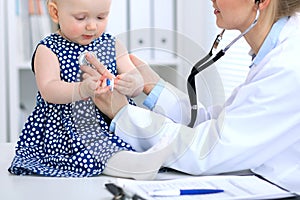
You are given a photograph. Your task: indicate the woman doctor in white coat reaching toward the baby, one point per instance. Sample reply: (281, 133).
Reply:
(258, 127)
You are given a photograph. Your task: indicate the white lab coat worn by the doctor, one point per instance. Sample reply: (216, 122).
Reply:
(258, 128)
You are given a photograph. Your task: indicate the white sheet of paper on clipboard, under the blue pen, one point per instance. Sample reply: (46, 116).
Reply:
(235, 187)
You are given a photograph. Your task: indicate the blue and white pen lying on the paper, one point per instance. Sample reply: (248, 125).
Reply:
(184, 192)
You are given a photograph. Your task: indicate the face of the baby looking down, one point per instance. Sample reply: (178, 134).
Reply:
(81, 21)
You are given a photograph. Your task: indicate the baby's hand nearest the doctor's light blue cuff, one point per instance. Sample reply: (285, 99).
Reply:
(130, 84)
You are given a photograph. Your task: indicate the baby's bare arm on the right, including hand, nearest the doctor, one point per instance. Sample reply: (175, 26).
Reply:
(129, 81)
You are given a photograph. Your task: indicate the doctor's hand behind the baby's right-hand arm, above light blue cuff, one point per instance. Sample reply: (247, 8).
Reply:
(151, 78)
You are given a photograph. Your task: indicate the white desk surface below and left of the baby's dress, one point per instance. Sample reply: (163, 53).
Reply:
(36, 188)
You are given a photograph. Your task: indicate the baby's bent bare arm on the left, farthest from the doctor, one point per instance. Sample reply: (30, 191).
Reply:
(49, 83)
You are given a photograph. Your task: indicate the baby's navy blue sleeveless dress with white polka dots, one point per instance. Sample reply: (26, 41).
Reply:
(68, 140)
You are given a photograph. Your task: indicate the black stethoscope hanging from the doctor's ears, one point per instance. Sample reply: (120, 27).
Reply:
(206, 62)
